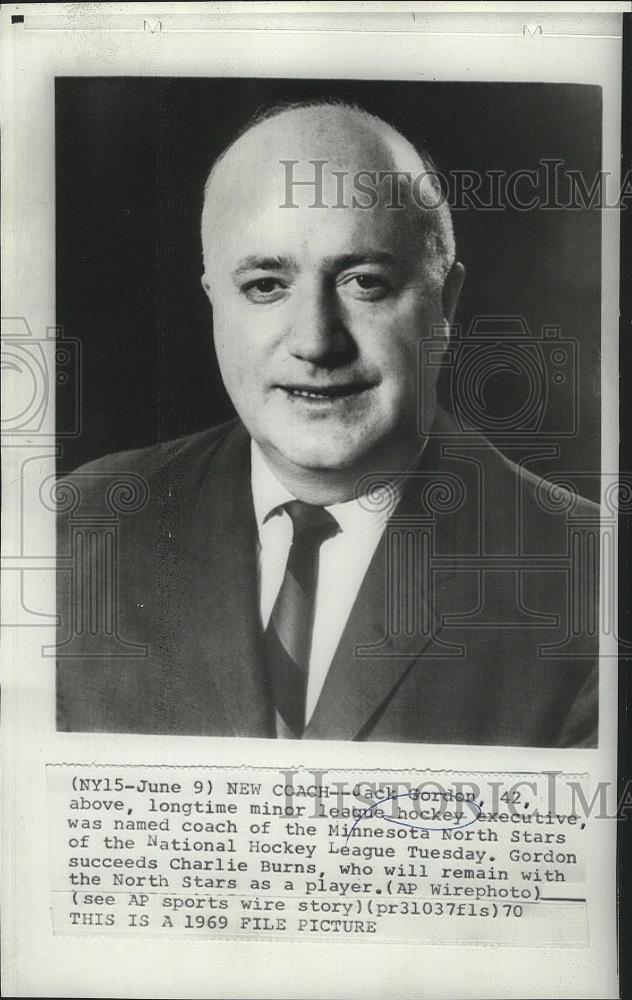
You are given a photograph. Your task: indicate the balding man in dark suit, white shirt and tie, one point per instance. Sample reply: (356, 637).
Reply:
(342, 561)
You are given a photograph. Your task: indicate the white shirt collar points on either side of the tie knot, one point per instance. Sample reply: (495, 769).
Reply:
(361, 515)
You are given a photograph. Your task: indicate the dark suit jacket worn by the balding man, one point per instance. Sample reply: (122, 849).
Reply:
(465, 629)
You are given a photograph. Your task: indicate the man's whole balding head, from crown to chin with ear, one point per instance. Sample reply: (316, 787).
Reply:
(318, 311)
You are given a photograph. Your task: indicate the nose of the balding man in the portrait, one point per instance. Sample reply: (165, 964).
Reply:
(318, 332)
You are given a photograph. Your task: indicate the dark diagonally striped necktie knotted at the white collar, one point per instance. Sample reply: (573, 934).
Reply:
(288, 637)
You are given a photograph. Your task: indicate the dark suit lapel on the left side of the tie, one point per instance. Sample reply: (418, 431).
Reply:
(225, 607)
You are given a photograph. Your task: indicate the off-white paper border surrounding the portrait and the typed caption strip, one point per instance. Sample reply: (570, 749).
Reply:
(85, 39)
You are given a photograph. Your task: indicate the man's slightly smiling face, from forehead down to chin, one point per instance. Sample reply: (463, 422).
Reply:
(318, 313)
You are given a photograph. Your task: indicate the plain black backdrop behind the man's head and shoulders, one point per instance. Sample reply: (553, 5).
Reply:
(132, 155)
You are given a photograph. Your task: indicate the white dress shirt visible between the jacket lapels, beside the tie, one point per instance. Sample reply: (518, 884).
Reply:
(343, 562)
